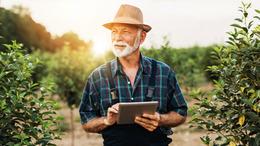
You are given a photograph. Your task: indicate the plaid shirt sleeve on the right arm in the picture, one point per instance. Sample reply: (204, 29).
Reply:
(177, 102)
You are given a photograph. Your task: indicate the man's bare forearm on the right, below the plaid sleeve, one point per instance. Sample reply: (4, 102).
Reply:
(172, 119)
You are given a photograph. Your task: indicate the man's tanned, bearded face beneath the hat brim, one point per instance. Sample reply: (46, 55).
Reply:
(125, 39)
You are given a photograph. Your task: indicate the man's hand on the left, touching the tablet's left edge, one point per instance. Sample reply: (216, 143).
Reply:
(111, 115)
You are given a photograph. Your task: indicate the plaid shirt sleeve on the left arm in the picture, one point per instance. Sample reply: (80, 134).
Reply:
(89, 107)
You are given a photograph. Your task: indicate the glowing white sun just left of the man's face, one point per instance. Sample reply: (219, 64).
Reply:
(101, 44)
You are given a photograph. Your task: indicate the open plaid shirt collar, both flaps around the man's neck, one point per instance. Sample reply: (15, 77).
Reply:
(144, 65)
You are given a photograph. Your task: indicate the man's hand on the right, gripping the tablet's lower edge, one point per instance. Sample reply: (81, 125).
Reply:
(148, 121)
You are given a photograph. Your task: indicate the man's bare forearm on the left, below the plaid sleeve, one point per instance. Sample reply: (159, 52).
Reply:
(95, 125)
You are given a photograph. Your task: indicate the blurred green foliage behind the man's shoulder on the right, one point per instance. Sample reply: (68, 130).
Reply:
(188, 63)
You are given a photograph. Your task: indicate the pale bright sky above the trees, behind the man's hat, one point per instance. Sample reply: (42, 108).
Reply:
(185, 23)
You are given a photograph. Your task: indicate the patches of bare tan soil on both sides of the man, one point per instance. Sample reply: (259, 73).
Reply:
(183, 135)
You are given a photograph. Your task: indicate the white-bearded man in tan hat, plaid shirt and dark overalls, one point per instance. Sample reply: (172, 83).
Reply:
(131, 73)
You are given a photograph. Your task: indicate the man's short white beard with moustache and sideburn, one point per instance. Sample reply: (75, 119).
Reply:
(128, 49)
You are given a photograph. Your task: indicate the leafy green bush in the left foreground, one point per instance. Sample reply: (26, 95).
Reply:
(26, 117)
